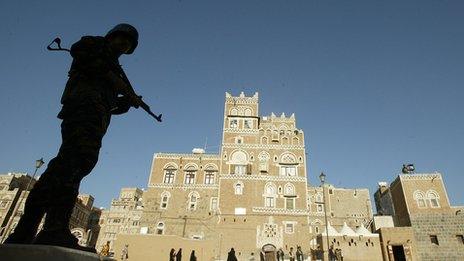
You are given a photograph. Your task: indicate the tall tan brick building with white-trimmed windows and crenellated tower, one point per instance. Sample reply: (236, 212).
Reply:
(253, 195)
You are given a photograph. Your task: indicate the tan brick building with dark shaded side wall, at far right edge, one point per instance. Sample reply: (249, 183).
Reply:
(420, 201)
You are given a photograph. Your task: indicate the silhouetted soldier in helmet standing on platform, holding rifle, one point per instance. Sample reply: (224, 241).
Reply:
(93, 93)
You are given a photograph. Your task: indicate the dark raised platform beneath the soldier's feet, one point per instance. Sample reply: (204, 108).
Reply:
(45, 253)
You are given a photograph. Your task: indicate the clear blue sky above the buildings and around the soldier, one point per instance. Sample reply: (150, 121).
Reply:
(373, 84)
